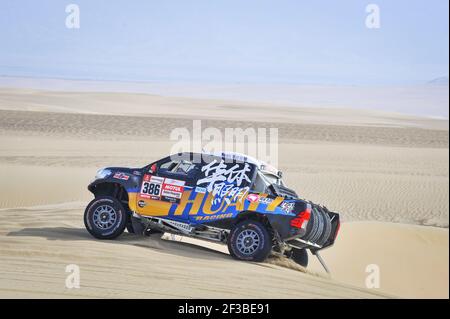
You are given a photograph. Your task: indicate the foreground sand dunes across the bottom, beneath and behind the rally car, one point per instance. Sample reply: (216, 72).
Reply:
(37, 243)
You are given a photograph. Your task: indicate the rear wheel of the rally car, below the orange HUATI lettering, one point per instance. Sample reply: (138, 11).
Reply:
(249, 240)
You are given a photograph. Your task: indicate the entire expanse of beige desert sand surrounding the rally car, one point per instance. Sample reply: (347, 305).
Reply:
(386, 173)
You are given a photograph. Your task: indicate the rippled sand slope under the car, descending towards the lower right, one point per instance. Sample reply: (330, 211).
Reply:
(37, 244)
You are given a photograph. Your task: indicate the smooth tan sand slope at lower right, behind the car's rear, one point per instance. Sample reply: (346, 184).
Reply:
(412, 260)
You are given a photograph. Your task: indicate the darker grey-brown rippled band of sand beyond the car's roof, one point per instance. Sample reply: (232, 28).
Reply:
(86, 126)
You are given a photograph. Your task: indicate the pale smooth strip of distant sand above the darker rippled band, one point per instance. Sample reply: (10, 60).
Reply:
(139, 104)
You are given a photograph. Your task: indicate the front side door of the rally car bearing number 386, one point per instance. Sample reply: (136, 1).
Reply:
(163, 187)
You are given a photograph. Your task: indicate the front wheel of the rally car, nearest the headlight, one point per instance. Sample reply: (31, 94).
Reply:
(105, 217)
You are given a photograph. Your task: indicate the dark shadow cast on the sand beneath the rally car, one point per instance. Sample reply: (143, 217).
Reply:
(153, 242)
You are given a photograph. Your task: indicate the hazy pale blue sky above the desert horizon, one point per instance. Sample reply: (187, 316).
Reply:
(319, 42)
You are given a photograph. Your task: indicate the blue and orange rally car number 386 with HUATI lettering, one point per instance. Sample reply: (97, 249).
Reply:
(227, 198)
